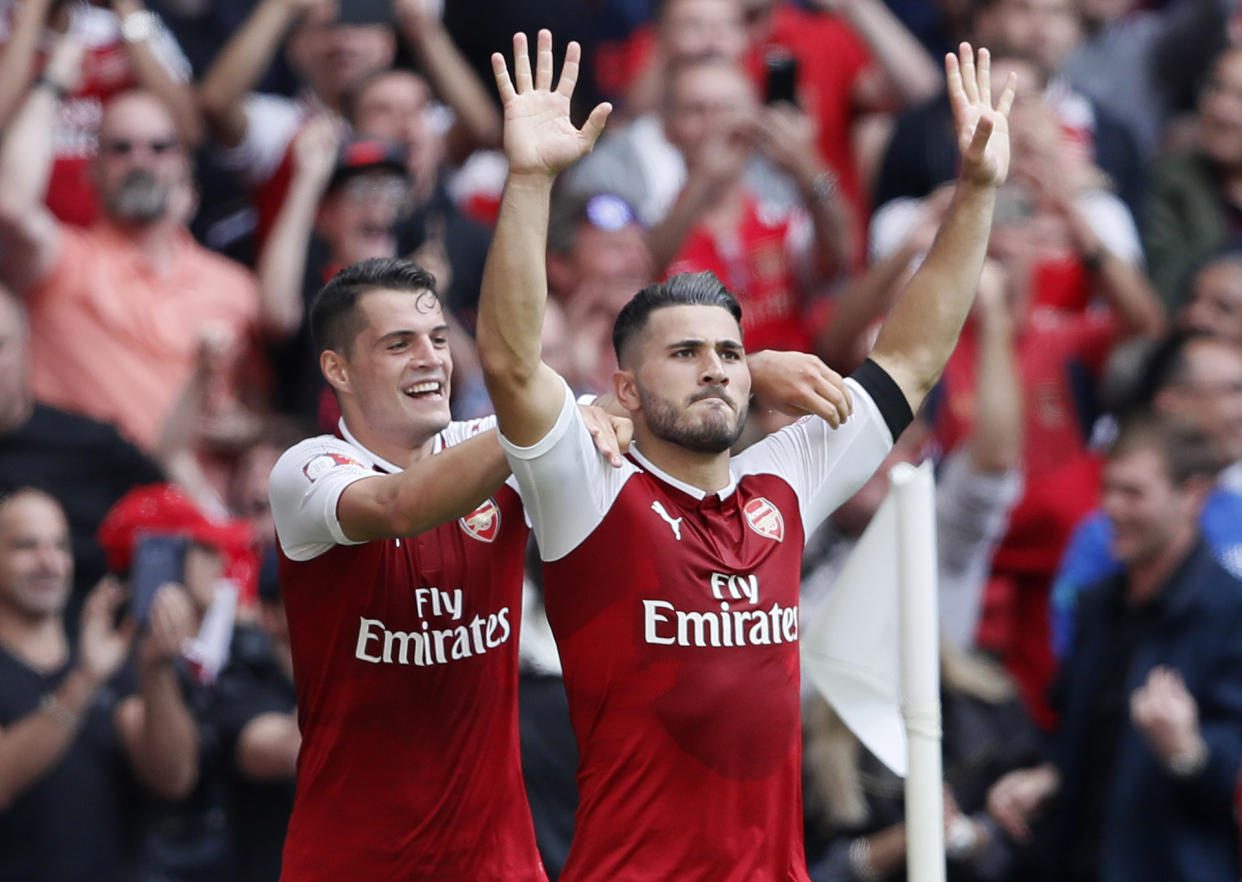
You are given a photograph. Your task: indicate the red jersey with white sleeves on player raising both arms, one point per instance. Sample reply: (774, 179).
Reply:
(676, 617)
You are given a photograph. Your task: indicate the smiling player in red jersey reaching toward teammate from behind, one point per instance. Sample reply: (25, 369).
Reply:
(402, 552)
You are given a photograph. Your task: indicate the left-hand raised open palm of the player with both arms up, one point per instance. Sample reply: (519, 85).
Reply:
(540, 137)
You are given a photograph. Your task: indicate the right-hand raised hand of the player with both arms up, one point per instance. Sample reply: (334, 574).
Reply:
(983, 131)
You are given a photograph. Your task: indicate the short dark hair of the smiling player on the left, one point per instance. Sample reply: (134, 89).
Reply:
(335, 315)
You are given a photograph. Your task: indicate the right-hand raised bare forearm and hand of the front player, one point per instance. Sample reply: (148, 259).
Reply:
(922, 330)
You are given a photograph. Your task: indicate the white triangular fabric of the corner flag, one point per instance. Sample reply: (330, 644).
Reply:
(851, 649)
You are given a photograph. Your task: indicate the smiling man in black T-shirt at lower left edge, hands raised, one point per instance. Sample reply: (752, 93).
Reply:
(71, 742)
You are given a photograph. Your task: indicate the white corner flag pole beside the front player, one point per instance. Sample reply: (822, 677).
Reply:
(913, 489)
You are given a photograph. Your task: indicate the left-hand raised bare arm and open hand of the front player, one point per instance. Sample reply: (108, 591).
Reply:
(540, 141)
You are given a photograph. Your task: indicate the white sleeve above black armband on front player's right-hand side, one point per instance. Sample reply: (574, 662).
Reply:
(825, 466)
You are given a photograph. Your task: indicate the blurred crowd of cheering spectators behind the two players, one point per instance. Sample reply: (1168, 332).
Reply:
(179, 180)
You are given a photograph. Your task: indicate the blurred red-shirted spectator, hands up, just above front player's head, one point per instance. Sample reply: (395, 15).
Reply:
(772, 259)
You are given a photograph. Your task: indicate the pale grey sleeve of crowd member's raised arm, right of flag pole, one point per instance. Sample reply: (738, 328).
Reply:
(972, 514)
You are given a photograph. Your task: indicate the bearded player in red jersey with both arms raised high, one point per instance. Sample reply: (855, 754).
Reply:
(673, 582)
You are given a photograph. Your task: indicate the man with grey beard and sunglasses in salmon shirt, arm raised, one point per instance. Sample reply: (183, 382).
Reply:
(119, 312)
